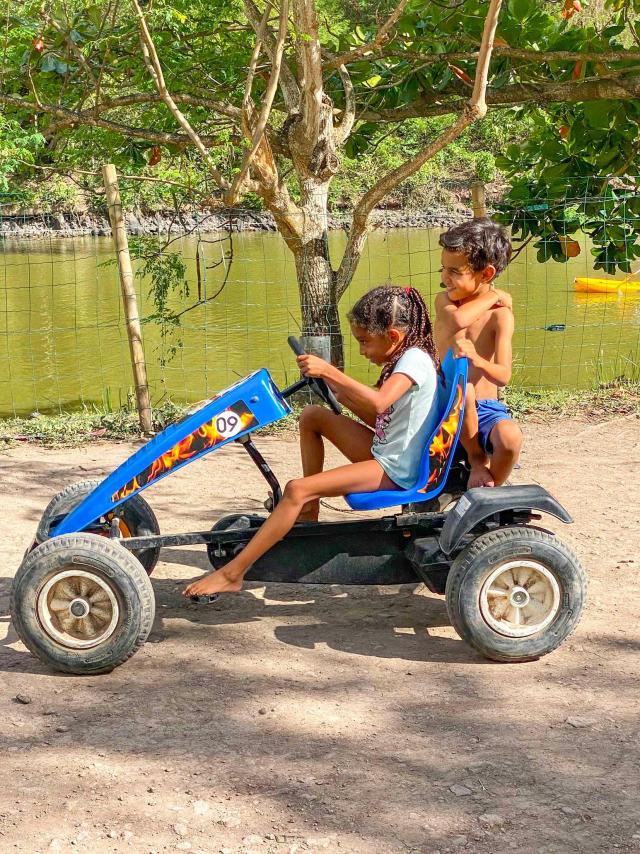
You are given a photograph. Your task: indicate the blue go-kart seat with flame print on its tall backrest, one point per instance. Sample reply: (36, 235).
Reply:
(439, 450)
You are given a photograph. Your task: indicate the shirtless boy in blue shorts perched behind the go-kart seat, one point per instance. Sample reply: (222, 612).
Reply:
(476, 319)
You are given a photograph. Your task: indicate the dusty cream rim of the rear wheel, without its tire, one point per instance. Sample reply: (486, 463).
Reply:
(520, 598)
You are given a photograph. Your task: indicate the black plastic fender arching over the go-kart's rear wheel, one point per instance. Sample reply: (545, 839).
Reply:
(479, 504)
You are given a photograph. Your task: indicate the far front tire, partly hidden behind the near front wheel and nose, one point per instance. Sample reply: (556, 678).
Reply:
(136, 514)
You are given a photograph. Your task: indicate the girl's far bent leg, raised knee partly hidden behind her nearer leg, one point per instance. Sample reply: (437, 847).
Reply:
(350, 437)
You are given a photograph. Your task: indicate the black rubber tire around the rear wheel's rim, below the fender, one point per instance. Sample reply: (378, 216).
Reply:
(474, 564)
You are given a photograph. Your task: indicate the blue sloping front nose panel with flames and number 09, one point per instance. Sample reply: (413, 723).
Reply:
(249, 404)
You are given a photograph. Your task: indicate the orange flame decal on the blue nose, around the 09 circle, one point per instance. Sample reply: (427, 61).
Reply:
(206, 437)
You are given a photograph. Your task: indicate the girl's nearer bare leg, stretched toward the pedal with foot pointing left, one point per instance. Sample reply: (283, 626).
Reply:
(365, 476)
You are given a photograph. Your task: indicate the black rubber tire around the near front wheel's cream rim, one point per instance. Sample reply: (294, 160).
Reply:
(98, 556)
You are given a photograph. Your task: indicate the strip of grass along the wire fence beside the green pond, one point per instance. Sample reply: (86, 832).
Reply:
(71, 429)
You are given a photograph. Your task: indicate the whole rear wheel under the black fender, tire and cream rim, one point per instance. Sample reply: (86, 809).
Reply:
(515, 594)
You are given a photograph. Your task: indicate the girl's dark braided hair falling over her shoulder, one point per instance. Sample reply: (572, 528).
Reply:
(390, 306)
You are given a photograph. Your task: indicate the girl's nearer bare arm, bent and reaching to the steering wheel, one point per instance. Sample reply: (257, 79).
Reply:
(363, 400)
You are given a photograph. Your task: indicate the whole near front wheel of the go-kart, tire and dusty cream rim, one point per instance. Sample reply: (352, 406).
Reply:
(82, 603)
